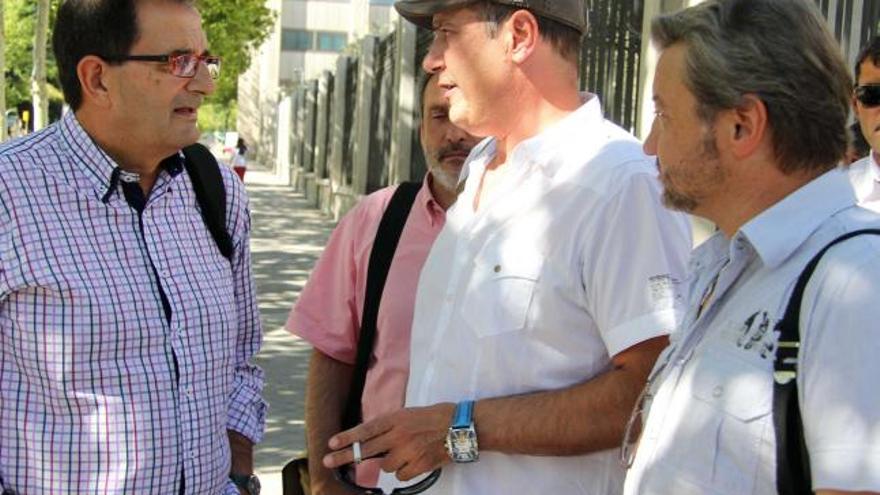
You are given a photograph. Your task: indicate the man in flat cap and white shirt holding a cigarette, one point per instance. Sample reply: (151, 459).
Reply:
(549, 293)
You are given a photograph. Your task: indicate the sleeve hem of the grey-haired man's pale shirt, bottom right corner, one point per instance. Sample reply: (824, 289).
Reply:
(856, 469)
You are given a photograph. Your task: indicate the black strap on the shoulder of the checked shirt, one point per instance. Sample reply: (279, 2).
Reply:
(204, 173)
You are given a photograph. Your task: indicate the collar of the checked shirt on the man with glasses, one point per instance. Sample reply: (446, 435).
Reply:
(93, 163)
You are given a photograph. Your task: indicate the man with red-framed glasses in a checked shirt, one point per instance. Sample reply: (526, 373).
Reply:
(125, 335)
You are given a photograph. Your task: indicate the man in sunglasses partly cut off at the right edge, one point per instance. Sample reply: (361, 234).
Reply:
(865, 173)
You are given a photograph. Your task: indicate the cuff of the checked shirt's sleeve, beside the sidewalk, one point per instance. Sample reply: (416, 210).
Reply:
(247, 409)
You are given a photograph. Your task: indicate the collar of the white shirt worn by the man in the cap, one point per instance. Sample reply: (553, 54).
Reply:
(551, 148)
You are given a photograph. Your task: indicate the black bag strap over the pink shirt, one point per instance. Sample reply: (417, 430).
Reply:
(384, 246)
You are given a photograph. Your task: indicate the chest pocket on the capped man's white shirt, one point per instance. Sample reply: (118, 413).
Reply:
(500, 290)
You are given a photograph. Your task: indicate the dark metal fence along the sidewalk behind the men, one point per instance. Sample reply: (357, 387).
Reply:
(354, 129)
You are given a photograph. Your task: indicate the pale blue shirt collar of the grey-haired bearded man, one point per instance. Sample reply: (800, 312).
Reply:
(780, 230)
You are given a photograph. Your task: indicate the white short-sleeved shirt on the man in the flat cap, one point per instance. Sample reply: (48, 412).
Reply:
(572, 260)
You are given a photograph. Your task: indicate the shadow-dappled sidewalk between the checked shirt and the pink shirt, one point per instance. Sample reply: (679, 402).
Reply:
(287, 237)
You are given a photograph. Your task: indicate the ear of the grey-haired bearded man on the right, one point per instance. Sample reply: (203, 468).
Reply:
(745, 127)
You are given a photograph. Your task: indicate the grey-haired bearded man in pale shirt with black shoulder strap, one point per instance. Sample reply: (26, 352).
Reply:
(752, 98)
